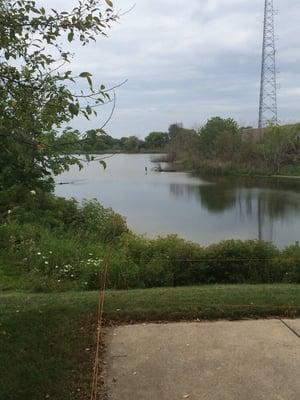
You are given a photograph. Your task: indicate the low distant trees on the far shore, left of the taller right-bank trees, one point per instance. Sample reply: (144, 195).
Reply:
(96, 141)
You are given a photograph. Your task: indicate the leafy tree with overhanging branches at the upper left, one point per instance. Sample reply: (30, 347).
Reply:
(38, 95)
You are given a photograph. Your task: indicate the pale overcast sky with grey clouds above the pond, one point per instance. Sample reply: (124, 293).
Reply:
(186, 61)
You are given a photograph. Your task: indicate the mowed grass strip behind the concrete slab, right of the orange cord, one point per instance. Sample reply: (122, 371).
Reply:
(203, 302)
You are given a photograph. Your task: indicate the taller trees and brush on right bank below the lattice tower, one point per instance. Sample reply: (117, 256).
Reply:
(221, 145)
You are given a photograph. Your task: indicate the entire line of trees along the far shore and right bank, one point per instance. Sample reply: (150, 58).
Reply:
(219, 146)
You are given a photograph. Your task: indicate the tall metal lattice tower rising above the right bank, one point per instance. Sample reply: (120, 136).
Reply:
(268, 86)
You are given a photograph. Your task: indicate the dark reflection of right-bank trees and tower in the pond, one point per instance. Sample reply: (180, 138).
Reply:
(263, 200)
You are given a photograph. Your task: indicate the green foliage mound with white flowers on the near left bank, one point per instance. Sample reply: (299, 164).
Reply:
(57, 244)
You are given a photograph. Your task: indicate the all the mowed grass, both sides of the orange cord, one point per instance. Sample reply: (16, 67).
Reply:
(47, 340)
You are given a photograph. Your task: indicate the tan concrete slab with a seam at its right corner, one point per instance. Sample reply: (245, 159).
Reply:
(246, 360)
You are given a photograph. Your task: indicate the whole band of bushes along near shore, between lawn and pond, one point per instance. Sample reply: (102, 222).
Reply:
(35, 257)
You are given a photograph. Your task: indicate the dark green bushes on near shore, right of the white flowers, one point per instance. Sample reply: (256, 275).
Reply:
(171, 261)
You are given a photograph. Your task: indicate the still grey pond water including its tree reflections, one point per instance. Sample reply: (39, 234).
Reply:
(201, 209)
